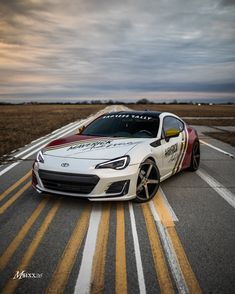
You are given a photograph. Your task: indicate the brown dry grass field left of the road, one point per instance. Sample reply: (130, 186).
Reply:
(21, 124)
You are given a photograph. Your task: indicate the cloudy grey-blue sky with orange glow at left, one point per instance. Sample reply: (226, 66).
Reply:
(59, 49)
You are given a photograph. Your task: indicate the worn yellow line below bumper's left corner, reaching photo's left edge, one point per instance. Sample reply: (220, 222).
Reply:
(6, 256)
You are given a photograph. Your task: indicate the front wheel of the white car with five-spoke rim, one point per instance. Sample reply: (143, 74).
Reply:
(148, 181)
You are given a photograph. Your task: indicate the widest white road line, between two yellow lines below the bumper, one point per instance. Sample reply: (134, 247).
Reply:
(84, 277)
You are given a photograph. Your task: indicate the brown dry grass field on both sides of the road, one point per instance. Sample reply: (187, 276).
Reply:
(21, 124)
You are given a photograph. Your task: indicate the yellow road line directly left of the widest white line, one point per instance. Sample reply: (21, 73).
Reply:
(64, 267)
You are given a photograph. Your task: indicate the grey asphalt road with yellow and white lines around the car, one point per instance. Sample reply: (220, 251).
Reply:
(183, 241)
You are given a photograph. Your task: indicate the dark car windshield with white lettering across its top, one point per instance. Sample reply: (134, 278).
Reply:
(124, 125)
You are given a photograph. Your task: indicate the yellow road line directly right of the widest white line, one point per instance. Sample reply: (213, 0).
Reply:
(98, 267)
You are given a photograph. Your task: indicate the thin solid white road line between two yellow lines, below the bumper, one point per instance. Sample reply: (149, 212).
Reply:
(139, 266)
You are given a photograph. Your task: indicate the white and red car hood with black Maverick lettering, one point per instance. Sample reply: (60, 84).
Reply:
(87, 147)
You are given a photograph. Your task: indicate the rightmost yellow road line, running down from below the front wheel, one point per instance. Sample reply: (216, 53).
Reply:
(168, 223)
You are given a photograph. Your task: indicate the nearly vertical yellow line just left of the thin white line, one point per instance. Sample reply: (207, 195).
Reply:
(121, 279)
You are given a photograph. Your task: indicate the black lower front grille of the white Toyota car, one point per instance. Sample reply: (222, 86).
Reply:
(68, 182)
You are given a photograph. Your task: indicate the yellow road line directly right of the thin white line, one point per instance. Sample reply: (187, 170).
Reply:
(157, 252)
